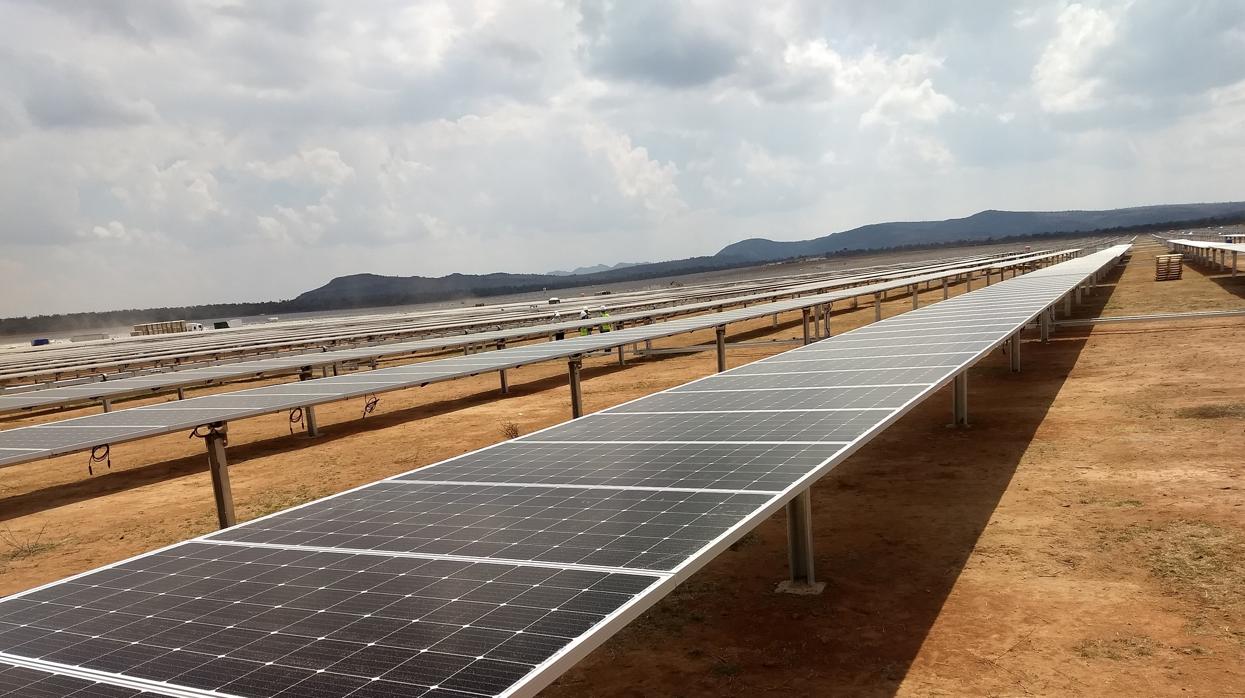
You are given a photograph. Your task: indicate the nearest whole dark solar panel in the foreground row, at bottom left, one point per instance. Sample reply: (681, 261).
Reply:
(257, 621)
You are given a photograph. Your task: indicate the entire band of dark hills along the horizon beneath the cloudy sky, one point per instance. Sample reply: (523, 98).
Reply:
(372, 291)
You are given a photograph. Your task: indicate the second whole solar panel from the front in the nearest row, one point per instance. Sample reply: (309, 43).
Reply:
(587, 527)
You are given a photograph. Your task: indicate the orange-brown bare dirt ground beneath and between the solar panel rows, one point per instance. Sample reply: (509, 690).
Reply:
(1084, 537)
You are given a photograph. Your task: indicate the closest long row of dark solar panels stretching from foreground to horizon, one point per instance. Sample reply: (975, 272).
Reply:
(491, 573)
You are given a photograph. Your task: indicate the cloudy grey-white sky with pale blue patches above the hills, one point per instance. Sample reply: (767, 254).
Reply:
(167, 152)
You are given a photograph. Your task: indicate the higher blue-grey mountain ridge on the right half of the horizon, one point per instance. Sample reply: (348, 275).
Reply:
(978, 227)
